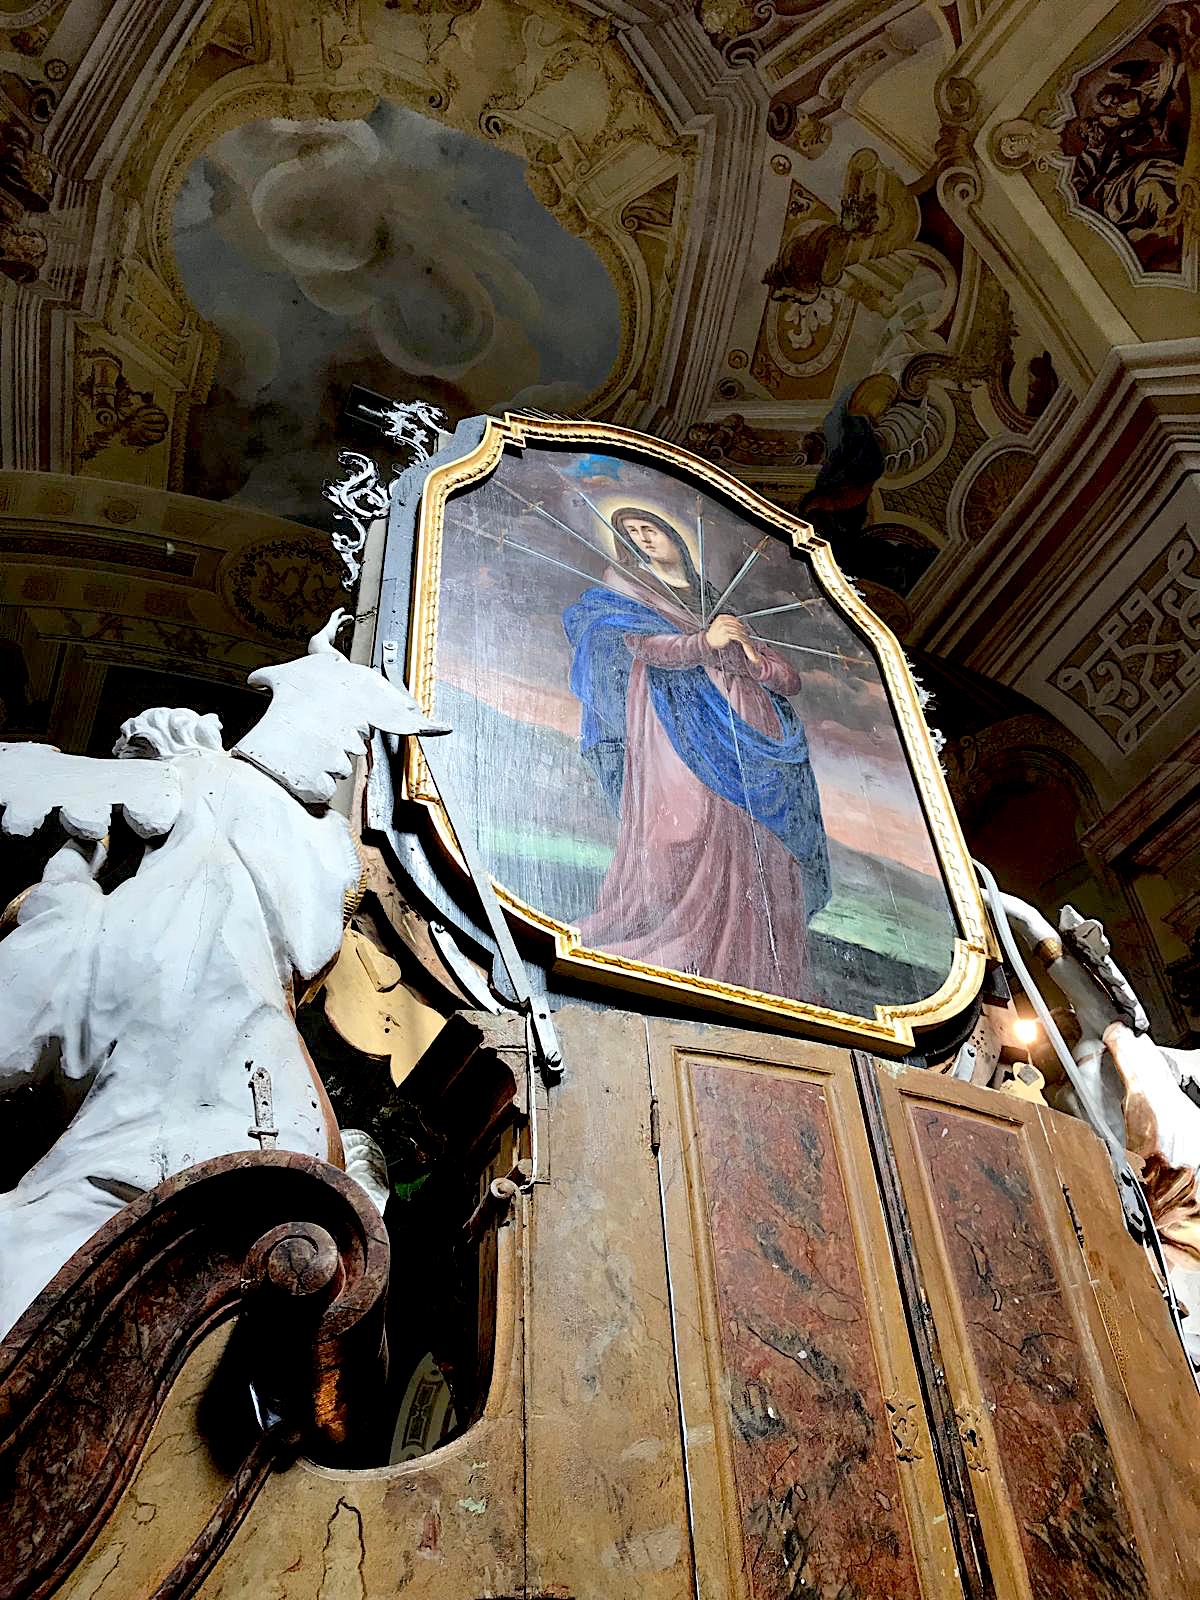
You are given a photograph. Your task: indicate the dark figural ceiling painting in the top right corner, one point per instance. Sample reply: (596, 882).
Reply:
(1130, 146)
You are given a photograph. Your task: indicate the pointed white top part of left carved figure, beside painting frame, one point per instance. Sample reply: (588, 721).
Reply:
(322, 708)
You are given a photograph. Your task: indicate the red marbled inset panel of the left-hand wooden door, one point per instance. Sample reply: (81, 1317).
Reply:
(814, 1454)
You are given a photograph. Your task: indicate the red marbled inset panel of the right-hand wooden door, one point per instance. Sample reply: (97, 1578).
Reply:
(1057, 1462)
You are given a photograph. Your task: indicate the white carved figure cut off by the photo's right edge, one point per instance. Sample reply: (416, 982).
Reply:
(1135, 1084)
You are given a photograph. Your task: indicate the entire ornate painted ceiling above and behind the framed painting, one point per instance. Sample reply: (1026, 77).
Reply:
(873, 258)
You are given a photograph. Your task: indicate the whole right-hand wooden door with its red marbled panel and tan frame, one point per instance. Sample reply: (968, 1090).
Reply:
(1081, 1452)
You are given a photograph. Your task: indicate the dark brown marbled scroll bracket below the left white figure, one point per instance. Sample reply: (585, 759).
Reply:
(282, 1238)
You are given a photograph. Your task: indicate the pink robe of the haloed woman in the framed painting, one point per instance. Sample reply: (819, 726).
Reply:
(695, 884)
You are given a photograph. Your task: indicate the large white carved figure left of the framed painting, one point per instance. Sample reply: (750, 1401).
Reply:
(158, 1002)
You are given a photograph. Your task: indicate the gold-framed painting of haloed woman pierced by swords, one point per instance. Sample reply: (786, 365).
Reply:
(694, 758)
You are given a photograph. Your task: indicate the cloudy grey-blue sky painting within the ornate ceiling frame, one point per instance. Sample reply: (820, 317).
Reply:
(388, 252)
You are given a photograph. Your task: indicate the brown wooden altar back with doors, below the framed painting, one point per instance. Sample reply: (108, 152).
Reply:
(783, 1322)
